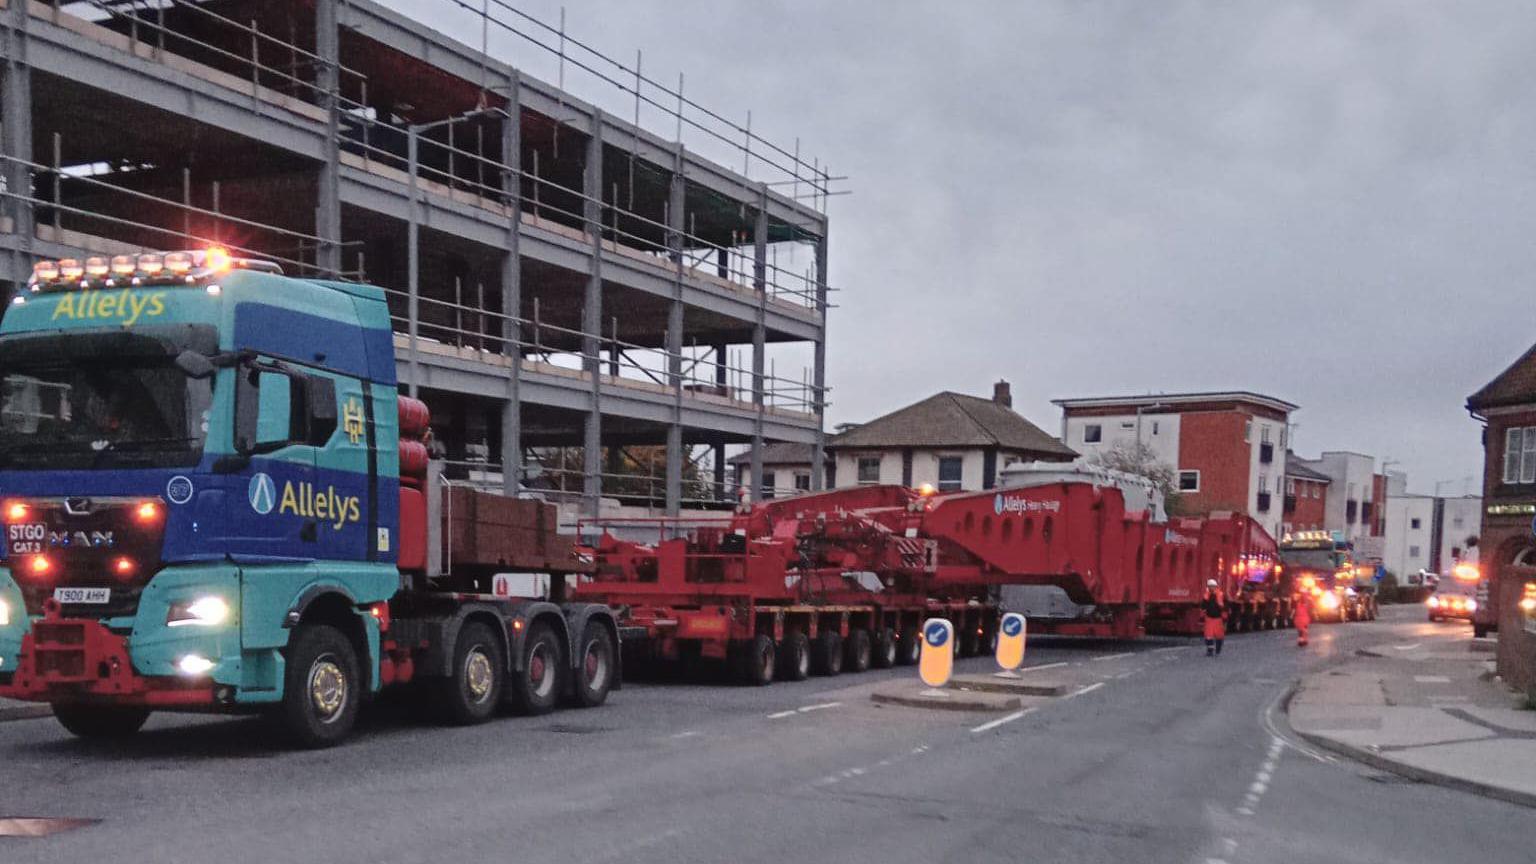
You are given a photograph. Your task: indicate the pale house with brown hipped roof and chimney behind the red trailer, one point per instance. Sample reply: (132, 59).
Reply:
(952, 442)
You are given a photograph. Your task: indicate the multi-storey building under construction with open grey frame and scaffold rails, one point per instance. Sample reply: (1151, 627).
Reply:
(578, 297)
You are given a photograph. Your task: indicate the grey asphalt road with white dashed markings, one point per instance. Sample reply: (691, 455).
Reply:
(1156, 754)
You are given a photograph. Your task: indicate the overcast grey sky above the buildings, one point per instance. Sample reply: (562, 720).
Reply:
(1326, 202)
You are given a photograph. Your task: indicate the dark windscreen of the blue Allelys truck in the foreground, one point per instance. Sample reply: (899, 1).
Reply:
(101, 413)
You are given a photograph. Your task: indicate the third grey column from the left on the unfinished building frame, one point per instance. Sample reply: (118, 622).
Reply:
(512, 290)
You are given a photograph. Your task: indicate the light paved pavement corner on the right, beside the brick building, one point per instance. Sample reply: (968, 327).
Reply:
(1425, 705)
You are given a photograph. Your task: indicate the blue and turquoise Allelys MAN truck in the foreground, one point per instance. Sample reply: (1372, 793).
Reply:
(214, 499)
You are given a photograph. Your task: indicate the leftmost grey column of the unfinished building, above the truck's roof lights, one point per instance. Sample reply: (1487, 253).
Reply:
(16, 135)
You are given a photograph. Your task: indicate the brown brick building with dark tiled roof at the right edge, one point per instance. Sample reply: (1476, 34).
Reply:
(1508, 542)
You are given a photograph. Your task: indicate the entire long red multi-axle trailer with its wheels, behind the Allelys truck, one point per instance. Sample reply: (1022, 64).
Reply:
(846, 579)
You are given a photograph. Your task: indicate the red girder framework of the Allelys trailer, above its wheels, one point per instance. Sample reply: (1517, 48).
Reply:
(895, 548)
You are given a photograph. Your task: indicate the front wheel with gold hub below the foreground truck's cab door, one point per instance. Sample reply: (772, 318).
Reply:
(322, 686)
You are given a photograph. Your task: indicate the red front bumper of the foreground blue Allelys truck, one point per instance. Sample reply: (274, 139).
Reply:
(81, 660)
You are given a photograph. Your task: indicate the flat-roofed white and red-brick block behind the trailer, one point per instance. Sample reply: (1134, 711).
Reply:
(1228, 448)
